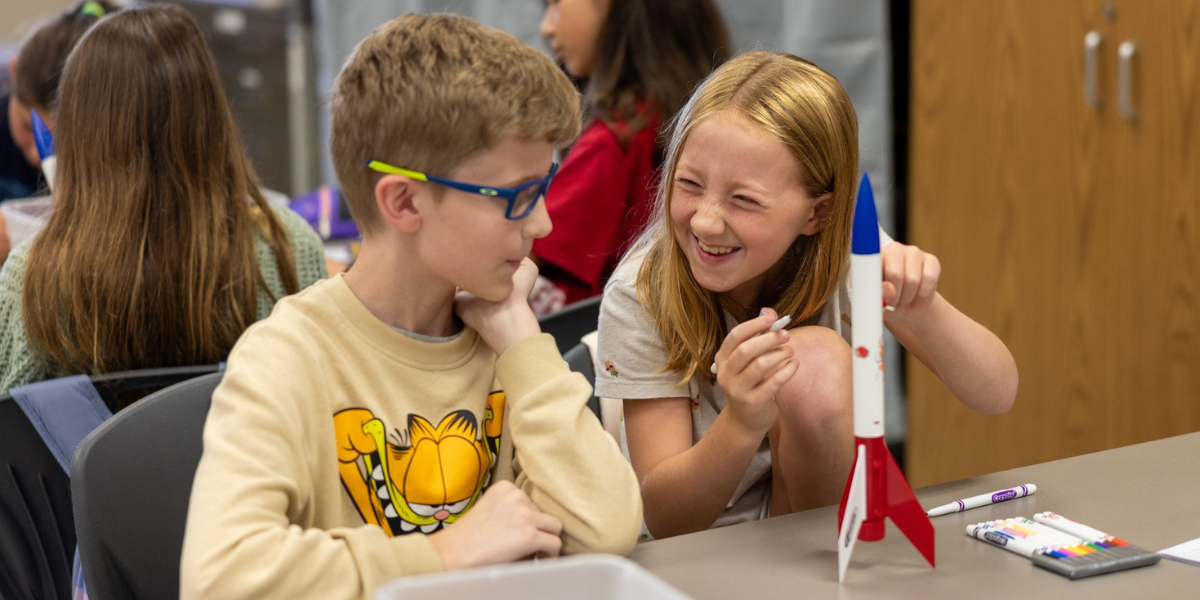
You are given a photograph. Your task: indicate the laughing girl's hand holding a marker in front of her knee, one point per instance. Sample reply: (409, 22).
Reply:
(752, 368)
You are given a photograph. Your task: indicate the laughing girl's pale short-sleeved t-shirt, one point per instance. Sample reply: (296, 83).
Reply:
(631, 357)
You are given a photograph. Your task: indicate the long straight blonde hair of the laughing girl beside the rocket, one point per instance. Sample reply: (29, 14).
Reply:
(808, 111)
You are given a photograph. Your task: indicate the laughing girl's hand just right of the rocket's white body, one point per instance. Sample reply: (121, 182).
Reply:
(910, 280)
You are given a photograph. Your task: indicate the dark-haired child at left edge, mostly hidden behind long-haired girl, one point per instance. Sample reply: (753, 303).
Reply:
(34, 79)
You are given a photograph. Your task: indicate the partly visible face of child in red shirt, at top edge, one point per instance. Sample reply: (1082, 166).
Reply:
(573, 31)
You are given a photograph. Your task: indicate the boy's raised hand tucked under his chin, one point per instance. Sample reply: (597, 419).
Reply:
(507, 322)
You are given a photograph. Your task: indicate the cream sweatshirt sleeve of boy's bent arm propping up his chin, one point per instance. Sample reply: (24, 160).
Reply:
(565, 461)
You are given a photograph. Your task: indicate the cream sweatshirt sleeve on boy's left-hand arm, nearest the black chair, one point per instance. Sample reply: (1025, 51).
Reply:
(254, 490)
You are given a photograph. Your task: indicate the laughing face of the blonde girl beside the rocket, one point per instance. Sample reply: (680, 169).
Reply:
(737, 205)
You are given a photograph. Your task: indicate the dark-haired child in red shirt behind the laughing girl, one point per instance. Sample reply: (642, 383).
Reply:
(641, 59)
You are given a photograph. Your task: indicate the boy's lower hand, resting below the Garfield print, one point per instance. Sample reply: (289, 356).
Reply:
(505, 526)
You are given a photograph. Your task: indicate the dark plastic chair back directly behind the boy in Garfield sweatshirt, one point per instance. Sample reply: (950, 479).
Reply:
(131, 483)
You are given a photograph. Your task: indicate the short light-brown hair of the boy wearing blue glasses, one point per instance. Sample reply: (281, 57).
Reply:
(427, 93)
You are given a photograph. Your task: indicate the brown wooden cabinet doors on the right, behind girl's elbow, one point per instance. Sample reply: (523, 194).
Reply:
(1067, 230)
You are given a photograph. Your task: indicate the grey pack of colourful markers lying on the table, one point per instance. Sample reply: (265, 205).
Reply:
(1063, 547)
